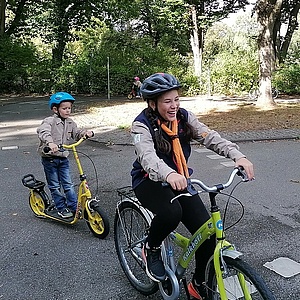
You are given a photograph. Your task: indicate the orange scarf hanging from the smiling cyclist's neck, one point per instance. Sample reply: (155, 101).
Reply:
(177, 150)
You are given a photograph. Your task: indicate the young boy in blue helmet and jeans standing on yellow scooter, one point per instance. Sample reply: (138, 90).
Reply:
(55, 130)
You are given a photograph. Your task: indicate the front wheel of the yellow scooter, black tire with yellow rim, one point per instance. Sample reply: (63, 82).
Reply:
(98, 223)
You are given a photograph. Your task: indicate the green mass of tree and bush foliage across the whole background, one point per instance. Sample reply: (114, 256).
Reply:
(80, 40)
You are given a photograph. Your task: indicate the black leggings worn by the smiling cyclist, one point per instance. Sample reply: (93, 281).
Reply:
(188, 210)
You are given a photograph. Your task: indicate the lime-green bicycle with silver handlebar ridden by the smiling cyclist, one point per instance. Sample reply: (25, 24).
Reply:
(227, 275)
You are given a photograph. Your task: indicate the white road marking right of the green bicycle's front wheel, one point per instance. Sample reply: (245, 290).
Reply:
(284, 266)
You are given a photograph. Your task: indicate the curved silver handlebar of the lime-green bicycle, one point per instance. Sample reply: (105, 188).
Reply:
(191, 191)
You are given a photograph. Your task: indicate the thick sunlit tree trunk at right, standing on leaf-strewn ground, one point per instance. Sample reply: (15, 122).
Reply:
(267, 11)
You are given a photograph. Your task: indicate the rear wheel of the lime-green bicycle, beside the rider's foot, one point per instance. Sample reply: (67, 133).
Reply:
(130, 228)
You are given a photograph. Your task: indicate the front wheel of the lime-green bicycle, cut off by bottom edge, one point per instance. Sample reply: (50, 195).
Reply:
(256, 285)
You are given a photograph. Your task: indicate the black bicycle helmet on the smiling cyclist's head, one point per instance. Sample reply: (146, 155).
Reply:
(158, 83)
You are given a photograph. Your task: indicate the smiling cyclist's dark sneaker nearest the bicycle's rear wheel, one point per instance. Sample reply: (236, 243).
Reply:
(155, 268)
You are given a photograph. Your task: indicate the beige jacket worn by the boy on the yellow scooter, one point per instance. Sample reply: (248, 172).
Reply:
(54, 130)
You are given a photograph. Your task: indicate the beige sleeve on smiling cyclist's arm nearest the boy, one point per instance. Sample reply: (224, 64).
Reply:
(156, 168)
